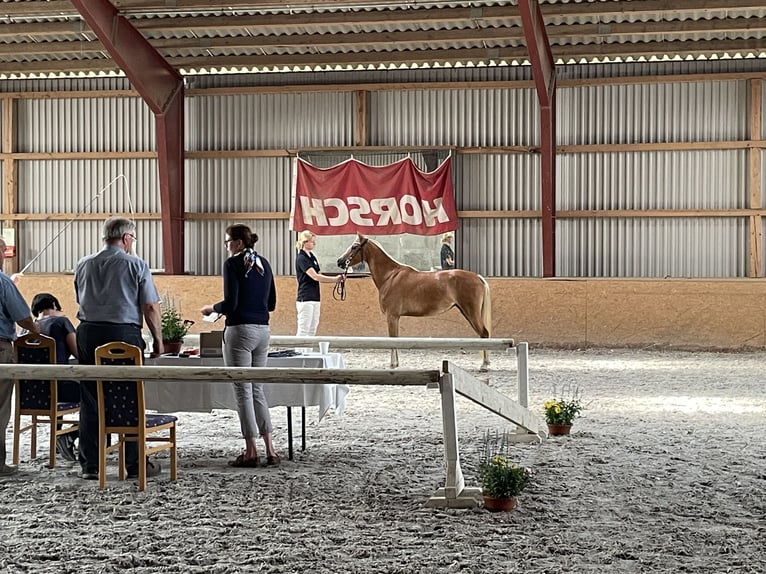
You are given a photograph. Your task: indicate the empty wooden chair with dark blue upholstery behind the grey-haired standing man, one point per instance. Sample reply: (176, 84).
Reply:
(122, 412)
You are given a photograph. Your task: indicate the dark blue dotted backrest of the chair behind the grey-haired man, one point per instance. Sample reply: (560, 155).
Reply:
(123, 400)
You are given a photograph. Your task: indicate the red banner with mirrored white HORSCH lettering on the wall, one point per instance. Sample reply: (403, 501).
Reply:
(354, 197)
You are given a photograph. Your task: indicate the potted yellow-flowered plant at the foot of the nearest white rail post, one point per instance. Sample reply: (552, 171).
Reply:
(501, 480)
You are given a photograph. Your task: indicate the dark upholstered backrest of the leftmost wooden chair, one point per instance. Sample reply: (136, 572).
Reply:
(35, 349)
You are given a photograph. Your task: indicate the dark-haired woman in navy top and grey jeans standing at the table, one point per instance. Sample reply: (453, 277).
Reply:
(249, 295)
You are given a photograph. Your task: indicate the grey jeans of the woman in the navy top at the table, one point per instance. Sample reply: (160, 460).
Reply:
(248, 346)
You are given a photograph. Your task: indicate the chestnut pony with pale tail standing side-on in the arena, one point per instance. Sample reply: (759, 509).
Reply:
(405, 291)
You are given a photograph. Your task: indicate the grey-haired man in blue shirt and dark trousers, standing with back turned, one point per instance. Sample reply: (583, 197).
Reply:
(116, 293)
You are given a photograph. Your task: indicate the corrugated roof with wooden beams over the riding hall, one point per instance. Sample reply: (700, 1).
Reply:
(49, 37)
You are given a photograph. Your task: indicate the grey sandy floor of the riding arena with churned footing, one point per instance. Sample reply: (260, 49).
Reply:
(664, 472)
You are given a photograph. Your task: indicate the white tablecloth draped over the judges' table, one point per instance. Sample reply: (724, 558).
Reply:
(204, 396)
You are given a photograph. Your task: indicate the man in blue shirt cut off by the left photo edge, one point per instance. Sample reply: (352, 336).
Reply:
(13, 310)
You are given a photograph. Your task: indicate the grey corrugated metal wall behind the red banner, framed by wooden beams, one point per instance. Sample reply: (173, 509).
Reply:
(602, 180)
